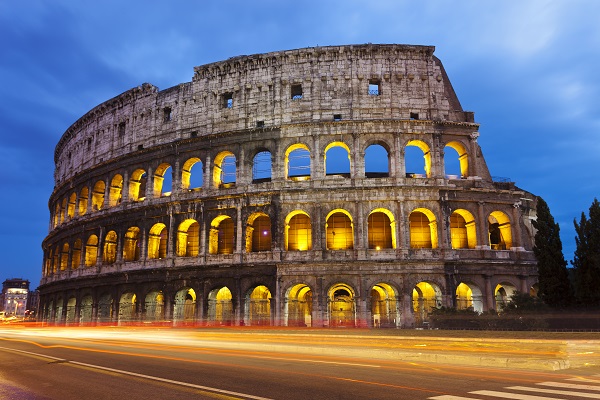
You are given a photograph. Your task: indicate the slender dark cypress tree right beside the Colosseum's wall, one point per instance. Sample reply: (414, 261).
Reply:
(553, 276)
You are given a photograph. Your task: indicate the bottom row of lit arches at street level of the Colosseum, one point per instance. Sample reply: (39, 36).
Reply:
(258, 308)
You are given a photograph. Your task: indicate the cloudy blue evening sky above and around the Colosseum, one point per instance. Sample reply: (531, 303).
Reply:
(528, 69)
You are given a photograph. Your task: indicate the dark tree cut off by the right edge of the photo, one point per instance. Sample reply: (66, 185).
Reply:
(587, 257)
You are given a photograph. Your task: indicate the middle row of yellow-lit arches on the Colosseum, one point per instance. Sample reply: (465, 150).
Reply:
(190, 240)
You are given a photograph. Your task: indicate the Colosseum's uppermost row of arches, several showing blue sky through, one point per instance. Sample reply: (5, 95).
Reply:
(137, 185)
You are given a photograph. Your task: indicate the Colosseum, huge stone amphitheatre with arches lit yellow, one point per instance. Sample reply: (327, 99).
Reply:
(319, 187)
